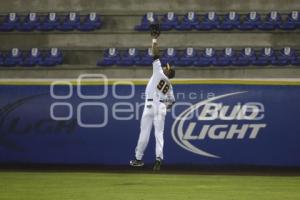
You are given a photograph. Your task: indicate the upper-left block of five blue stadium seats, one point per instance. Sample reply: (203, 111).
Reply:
(50, 22)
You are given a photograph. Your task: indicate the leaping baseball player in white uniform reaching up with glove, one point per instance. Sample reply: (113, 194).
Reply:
(159, 98)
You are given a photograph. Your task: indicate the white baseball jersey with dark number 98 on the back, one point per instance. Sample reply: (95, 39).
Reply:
(159, 86)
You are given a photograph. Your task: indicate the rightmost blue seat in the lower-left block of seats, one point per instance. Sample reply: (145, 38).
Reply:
(52, 58)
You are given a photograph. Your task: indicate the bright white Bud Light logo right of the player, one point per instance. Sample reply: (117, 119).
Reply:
(238, 122)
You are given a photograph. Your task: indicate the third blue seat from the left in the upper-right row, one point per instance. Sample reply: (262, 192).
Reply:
(189, 22)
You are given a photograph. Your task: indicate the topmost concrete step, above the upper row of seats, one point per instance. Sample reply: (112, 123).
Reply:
(139, 7)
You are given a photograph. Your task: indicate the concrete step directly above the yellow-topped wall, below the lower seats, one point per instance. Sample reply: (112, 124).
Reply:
(73, 71)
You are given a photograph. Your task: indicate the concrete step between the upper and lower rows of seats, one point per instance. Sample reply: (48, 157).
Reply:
(86, 41)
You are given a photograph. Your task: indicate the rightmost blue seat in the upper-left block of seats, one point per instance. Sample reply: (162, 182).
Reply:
(91, 22)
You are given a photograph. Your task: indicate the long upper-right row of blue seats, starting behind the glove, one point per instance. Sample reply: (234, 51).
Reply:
(230, 21)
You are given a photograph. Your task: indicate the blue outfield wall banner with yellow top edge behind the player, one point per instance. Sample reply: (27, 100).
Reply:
(214, 122)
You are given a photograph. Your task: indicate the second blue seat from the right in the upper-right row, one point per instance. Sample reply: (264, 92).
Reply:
(271, 21)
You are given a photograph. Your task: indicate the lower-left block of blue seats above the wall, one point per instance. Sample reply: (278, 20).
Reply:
(33, 57)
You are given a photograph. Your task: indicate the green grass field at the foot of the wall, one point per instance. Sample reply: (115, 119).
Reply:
(138, 186)
